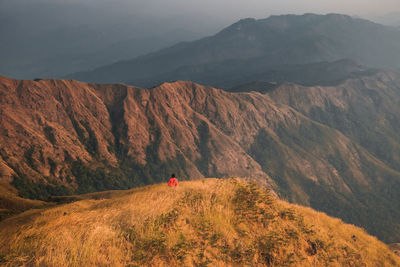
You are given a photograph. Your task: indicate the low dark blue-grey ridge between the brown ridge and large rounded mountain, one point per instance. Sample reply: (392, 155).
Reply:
(233, 74)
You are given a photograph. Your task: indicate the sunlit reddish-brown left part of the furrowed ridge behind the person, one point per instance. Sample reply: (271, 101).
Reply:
(55, 128)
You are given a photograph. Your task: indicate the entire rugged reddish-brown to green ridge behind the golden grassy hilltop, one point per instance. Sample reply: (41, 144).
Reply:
(334, 148)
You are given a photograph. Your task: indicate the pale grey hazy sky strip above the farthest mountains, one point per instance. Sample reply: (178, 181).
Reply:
(233, 9)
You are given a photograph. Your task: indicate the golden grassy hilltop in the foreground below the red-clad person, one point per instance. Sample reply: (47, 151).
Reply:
(206, 222)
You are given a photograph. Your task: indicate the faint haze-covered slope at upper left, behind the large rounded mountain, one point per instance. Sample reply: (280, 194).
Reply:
(47, 39)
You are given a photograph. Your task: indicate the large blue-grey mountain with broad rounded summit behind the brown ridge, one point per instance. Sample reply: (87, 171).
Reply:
(267, 49)
